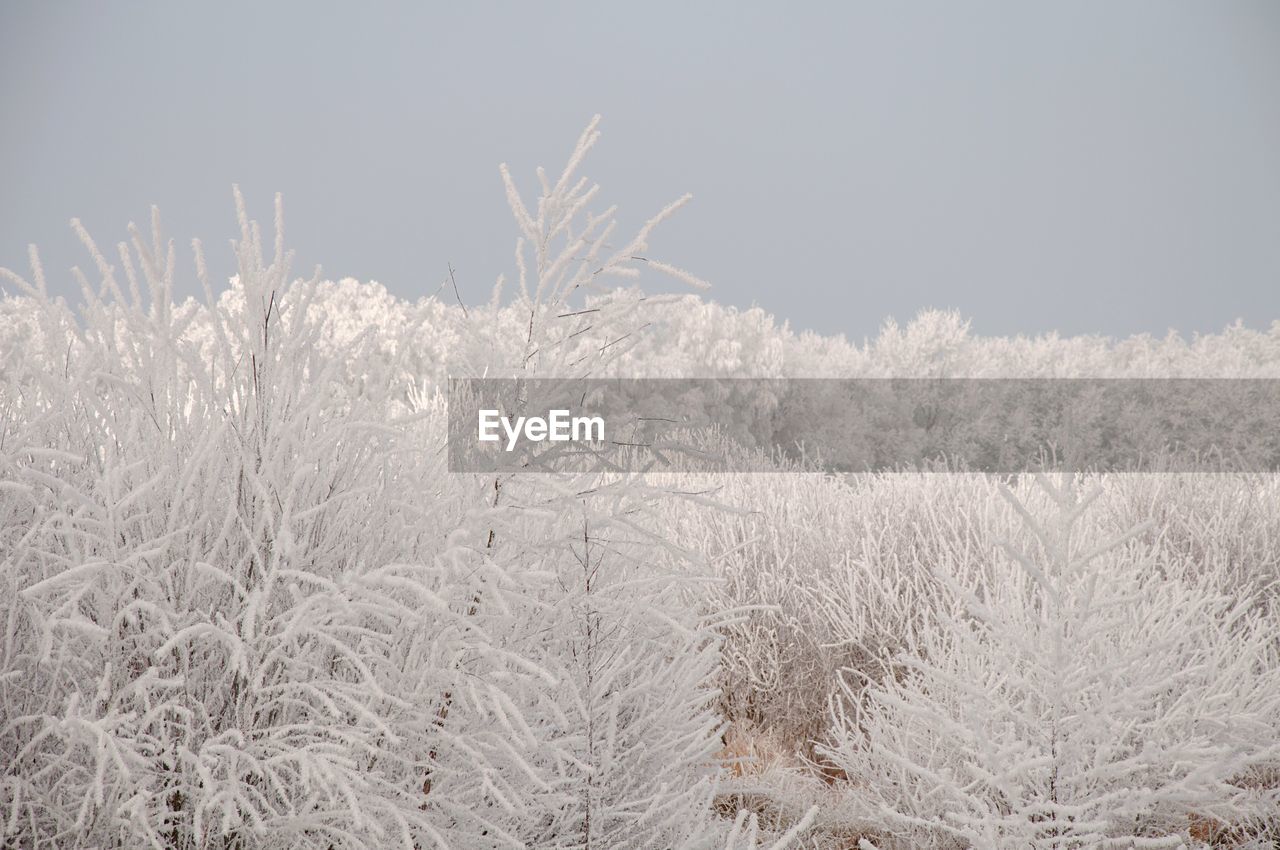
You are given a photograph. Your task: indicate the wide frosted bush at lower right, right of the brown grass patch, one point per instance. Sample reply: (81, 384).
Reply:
(1076, 693)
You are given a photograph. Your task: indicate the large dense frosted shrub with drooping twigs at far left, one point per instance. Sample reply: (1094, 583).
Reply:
(220, 627)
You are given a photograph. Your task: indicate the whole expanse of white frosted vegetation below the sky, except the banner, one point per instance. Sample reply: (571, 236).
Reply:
(244, 604)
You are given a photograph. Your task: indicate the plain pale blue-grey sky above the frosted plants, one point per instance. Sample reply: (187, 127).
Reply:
(1082, 167)
